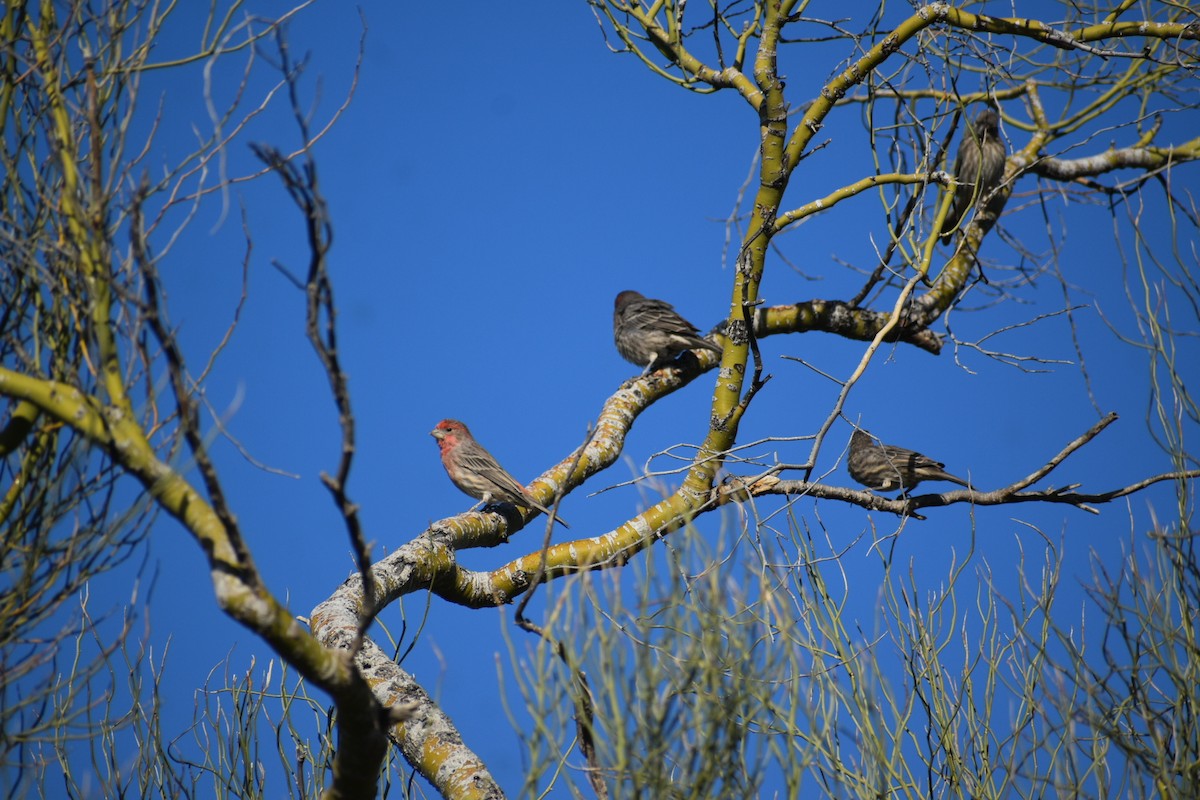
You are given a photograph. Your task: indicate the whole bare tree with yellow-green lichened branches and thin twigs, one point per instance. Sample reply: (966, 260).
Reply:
(747, 664)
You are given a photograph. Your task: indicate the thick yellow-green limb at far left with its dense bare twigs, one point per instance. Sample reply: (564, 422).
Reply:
(86, 340)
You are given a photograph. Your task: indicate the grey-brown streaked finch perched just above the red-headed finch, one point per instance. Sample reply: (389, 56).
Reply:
(650, 332)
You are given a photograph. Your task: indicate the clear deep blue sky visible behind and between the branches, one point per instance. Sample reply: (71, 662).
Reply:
(496, 182)
